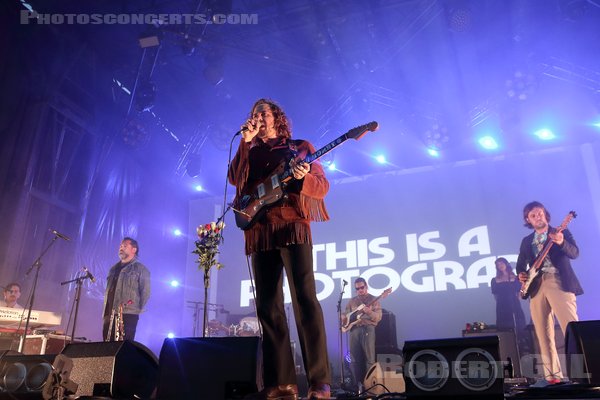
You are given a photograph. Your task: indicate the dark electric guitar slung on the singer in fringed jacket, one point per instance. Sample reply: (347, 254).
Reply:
(250, 206)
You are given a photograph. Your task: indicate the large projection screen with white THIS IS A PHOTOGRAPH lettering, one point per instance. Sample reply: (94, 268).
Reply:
(431, 234)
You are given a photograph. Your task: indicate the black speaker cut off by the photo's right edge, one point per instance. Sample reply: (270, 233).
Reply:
(582, 345)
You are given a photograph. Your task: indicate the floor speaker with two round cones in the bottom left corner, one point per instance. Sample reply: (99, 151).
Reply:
(23, 376)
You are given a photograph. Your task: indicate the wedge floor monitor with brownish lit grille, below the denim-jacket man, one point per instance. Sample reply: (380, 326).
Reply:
(125, 369)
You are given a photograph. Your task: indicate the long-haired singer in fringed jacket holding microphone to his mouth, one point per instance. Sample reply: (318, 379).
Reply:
(281, 238)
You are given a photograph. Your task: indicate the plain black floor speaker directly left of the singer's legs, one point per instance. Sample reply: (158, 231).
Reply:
(209, 368)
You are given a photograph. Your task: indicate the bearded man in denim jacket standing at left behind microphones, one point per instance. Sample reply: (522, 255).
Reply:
(127, 292)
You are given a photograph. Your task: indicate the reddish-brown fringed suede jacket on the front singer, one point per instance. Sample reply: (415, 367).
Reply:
(286, 222)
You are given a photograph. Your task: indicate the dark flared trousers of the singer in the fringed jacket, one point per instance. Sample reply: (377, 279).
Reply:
(278, 361)
